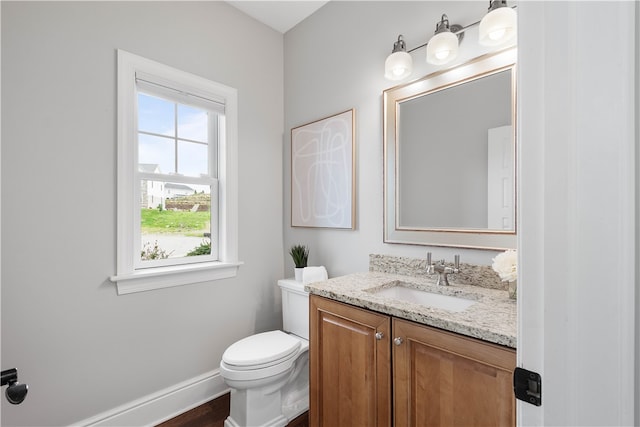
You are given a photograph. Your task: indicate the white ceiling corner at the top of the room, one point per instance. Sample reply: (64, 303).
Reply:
(279, 15)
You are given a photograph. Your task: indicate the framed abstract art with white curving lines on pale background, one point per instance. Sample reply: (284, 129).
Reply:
(322, 173)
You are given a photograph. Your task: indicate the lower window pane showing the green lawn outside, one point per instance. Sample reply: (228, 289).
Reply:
(175, 220)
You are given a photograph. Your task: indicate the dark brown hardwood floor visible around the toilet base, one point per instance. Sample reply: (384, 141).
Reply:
(213, 414)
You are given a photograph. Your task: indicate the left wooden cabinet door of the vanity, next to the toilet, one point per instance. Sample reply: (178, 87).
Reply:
(350, 366)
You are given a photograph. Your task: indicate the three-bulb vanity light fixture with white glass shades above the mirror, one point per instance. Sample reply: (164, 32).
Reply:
(497, 27)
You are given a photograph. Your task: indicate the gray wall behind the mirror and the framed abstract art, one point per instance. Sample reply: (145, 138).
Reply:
(334, 60)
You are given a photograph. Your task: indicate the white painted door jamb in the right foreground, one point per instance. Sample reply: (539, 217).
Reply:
(578, 211)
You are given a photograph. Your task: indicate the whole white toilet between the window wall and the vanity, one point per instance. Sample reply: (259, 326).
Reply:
(269, 372)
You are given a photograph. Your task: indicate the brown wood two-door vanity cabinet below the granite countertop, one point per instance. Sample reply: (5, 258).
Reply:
(438, 378)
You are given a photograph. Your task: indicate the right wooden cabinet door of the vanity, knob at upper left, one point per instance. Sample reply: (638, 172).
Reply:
(445, 379)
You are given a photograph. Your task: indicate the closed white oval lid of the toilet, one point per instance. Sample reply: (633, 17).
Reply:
(261, 350)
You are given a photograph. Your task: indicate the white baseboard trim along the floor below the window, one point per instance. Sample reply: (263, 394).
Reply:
(163, 405)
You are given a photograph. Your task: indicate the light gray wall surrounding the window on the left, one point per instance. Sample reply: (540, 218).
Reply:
(82, 349)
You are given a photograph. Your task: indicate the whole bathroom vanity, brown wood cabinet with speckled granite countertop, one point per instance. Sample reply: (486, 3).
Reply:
(382, 356)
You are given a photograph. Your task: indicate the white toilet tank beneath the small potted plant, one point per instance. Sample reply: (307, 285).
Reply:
(295, 308)
